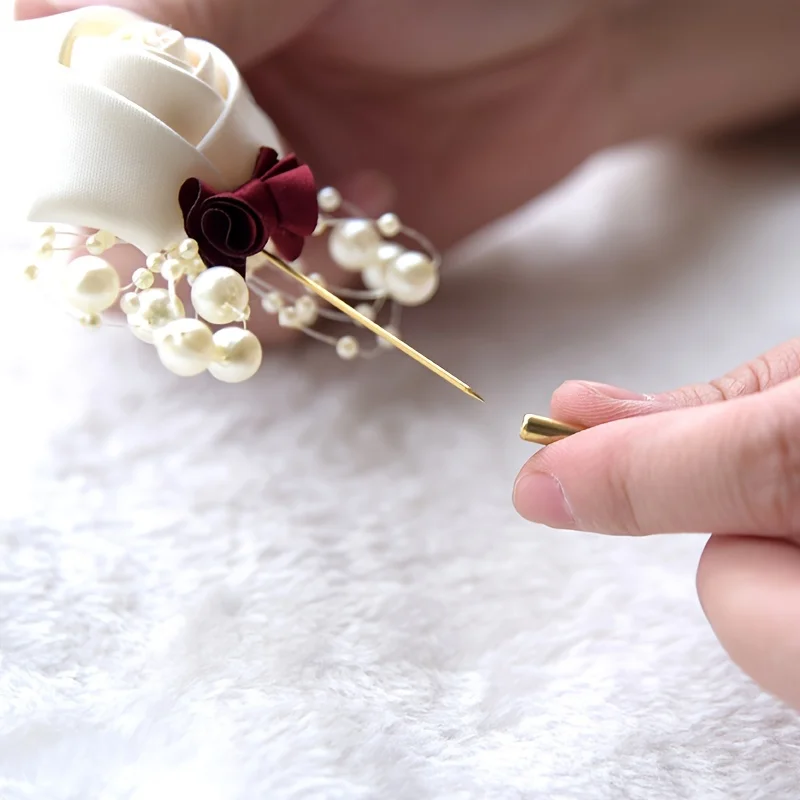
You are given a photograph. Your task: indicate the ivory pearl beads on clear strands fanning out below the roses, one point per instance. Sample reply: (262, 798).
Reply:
(214, 337)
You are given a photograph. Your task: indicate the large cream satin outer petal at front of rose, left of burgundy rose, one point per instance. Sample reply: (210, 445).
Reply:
(93, 159)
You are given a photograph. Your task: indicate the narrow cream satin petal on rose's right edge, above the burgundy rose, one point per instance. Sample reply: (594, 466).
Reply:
(233, 142)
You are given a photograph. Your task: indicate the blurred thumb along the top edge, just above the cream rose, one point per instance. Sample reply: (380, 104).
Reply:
(248, 30)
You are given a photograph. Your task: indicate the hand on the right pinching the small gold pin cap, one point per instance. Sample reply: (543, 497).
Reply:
(722, 457)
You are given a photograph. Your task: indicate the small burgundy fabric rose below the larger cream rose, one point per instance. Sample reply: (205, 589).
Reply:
(279, 202)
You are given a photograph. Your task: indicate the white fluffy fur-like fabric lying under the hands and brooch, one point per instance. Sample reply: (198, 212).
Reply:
(314, 585)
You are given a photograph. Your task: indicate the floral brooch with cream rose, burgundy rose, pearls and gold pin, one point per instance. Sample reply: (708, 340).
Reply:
(183, 166)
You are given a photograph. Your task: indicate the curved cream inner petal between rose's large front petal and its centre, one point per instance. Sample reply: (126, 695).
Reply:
(170, 93)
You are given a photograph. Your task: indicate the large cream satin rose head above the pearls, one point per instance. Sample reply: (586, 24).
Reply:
(112, 114)
